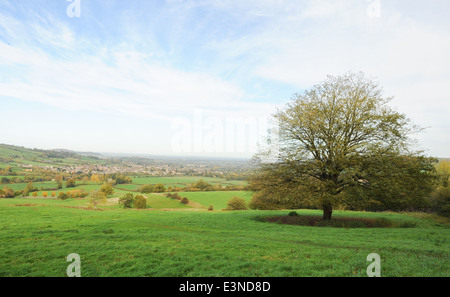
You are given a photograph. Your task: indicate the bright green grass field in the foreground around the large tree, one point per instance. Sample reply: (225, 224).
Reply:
(38, 234)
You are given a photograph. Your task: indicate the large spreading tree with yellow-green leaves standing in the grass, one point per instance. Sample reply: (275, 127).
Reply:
(340, 143)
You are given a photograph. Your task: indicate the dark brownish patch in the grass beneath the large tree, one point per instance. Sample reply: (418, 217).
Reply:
(341, 222)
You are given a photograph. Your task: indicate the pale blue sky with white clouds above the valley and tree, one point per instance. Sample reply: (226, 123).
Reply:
(202, 78)
